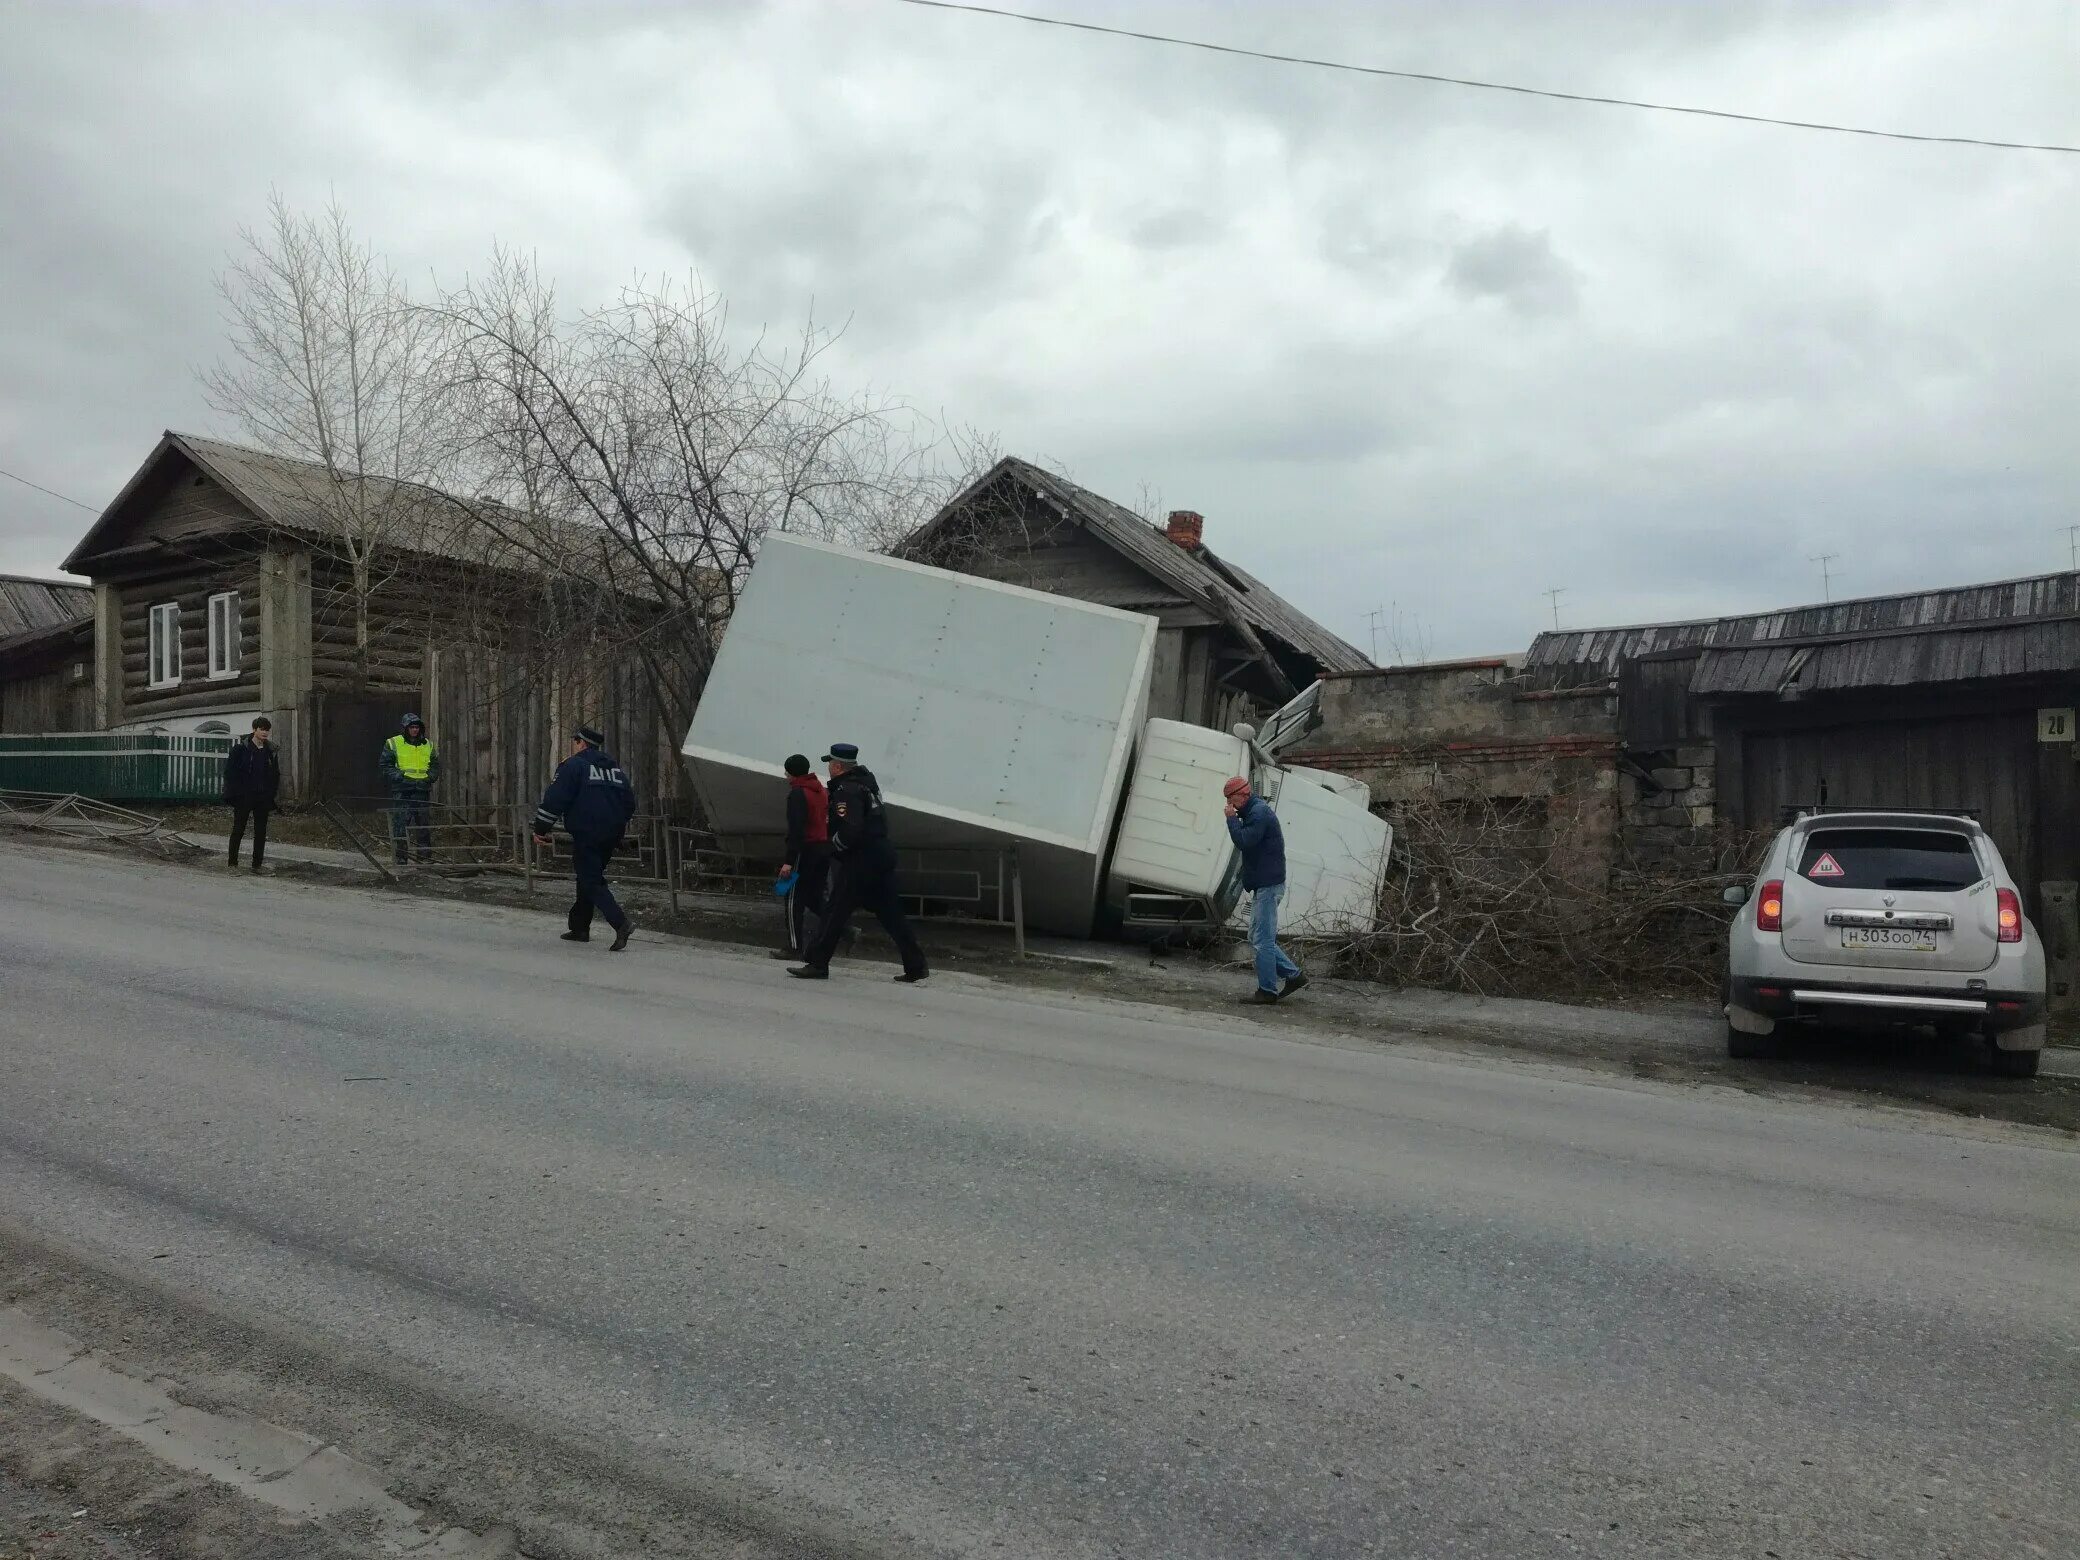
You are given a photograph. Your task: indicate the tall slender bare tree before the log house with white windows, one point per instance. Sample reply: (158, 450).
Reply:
(330, 367)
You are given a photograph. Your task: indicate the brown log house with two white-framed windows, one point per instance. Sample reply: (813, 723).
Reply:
(232, 583)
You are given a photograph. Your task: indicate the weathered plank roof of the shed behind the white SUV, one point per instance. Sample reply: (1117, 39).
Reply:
(1962, 633)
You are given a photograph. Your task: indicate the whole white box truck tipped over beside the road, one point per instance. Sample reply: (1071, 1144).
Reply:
(1010, 725)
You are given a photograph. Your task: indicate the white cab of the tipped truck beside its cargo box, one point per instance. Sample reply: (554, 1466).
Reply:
(1174, 862)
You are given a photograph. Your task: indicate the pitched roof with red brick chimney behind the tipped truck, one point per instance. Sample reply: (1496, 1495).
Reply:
(1195, 573)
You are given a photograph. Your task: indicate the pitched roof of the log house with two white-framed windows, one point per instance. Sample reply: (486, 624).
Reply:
(303, 496)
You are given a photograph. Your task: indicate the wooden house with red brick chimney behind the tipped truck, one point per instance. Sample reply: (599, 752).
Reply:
(1230, 648)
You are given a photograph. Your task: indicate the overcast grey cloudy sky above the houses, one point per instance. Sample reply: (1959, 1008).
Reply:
(1405, 346)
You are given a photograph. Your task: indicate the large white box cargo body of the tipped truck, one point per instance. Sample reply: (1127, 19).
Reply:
(993, 717)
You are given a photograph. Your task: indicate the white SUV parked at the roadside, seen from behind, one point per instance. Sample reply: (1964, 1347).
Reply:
(1886, 920)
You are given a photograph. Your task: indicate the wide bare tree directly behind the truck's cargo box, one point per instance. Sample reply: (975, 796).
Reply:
(642, 454)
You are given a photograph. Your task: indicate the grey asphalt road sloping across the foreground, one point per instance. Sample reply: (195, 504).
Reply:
(966, 1270)
